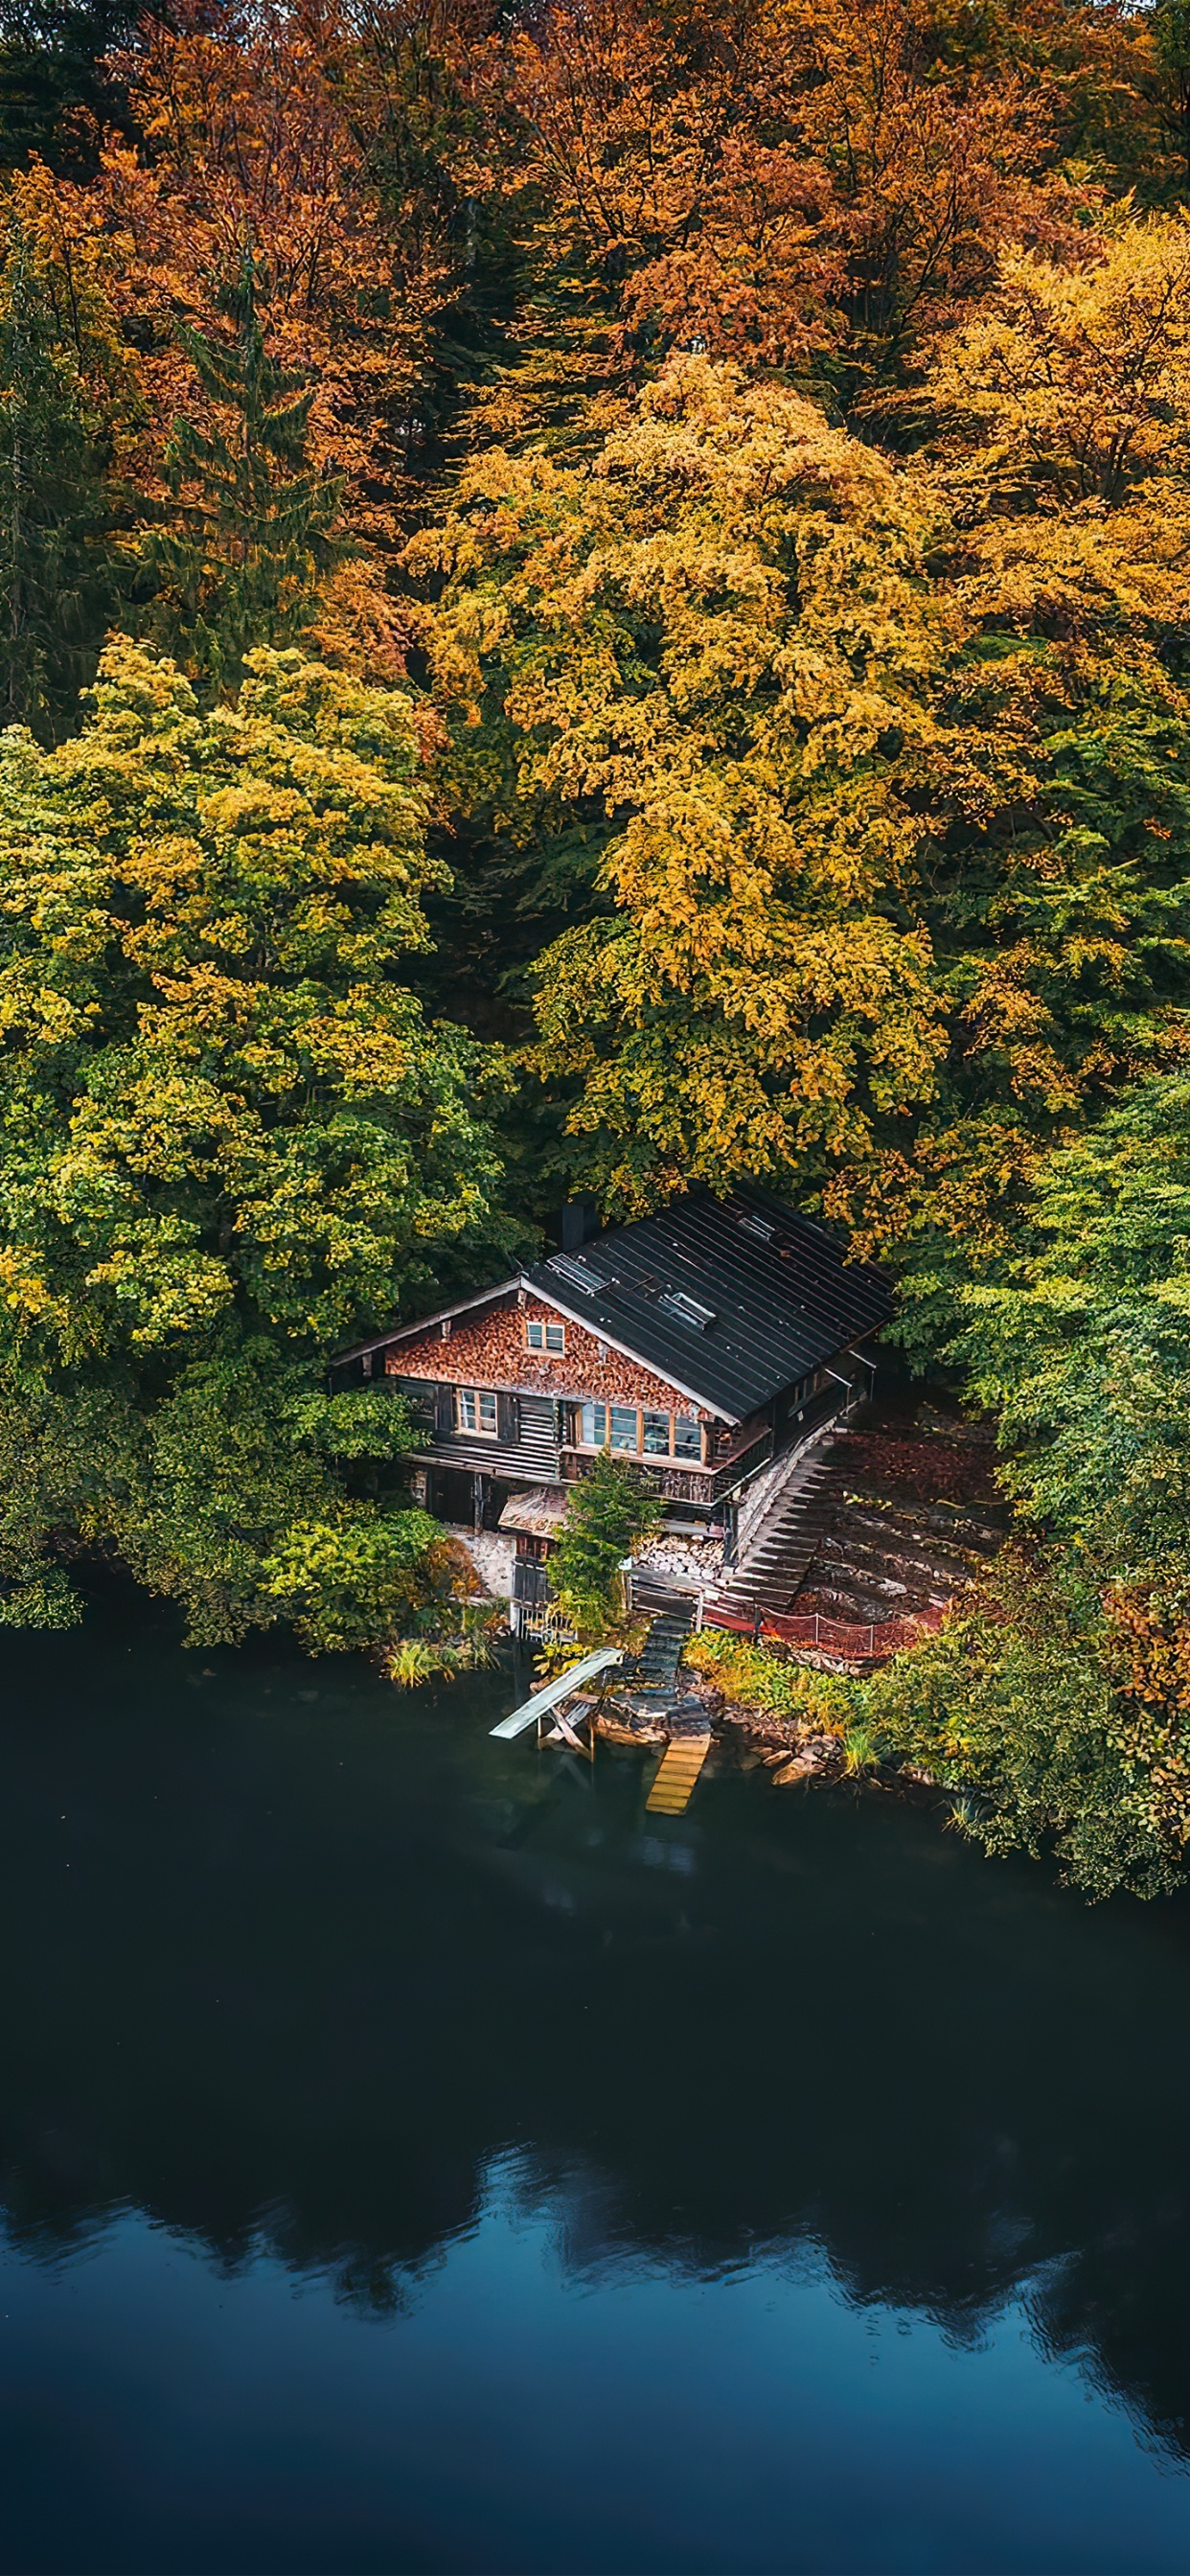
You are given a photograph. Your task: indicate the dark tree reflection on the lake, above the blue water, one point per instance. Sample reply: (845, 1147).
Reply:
(305, 1969)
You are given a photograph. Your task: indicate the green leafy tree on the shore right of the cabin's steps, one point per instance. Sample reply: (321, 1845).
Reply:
(1060, 1712)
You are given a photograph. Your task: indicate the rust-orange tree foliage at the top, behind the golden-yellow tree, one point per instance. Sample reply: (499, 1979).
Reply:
(787, 184)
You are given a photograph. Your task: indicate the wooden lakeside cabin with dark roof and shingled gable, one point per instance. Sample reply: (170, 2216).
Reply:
(699, 1343)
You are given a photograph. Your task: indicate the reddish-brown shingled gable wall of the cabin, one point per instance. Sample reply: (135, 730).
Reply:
(491, 1351)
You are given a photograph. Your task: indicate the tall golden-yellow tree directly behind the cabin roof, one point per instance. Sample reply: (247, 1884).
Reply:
(710, 645)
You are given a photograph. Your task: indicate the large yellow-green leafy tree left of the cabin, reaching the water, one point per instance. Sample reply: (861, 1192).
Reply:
(231, 1142)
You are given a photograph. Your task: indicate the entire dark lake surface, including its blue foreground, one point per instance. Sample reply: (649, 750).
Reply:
(419, 2157)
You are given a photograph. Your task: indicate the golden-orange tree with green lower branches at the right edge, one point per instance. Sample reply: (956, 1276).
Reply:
(1060, 882)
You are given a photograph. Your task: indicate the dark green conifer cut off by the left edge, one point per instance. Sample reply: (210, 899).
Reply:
(55, 560)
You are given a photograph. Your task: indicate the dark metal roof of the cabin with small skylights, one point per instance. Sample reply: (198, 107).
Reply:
(728, 1297)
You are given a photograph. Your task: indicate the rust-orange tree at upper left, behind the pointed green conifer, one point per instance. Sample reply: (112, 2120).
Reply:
(264, 138)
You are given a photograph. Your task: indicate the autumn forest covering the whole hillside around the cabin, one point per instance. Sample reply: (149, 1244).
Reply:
(599, 596)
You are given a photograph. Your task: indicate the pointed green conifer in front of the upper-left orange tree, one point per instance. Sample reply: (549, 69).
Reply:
(251, 527)
